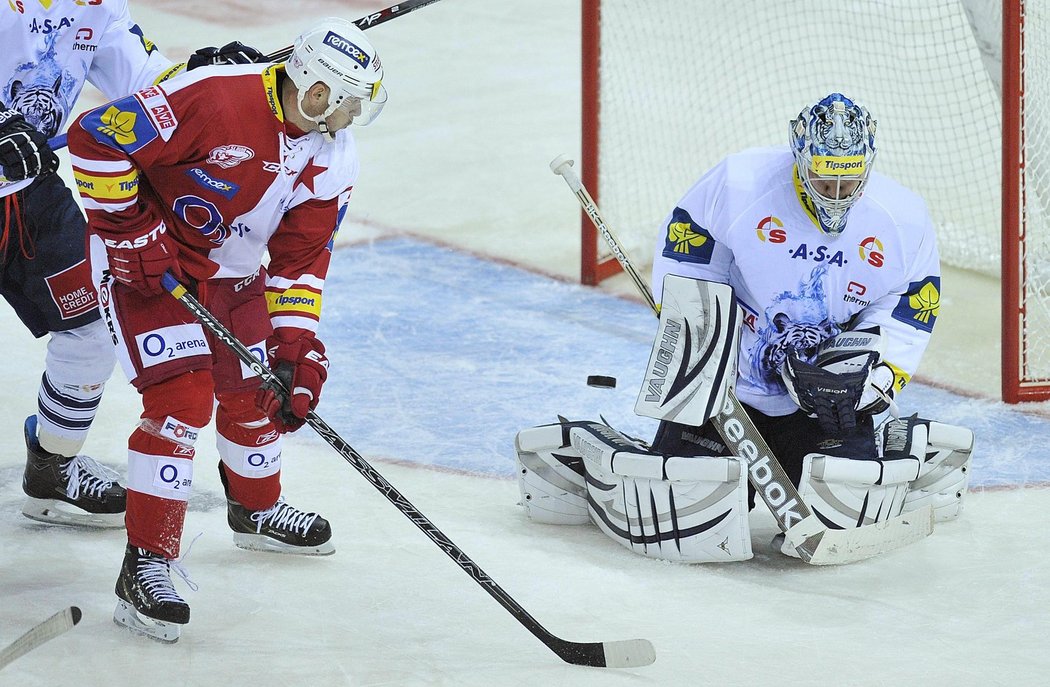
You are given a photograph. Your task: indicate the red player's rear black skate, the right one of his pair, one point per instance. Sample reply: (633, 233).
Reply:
(282, 529)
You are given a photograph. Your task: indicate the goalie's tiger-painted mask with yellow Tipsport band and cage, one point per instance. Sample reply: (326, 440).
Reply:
(834, 147)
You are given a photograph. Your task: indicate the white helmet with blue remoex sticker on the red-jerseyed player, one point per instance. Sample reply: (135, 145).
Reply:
(337, 53)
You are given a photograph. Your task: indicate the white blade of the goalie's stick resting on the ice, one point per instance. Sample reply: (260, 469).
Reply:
(839, 547)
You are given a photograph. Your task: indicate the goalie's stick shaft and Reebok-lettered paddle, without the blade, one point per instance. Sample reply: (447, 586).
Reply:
(733, 424)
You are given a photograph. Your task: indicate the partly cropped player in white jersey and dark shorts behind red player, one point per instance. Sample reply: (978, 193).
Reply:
(51, 50)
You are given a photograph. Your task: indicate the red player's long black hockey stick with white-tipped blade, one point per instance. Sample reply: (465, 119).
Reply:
(625, 654)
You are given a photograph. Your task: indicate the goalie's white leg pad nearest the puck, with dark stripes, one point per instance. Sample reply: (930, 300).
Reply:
(676, 509)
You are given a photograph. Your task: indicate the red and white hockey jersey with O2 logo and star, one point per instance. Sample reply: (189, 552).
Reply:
(212, 155)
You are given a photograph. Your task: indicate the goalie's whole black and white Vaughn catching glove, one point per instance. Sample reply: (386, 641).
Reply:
(848, 378)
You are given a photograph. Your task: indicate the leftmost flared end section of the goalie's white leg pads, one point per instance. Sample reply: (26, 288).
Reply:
(551, 475)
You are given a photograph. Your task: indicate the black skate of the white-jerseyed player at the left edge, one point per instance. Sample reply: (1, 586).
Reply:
(70, 491)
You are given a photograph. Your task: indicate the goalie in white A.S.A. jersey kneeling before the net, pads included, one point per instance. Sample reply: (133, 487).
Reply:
(818, 284)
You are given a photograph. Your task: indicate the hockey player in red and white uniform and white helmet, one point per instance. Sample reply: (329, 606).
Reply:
(202, 177)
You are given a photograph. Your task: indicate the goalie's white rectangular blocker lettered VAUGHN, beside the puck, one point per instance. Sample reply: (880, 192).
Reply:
(694, 361)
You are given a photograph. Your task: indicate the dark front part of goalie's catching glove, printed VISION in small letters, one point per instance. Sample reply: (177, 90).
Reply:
(832, 398)
